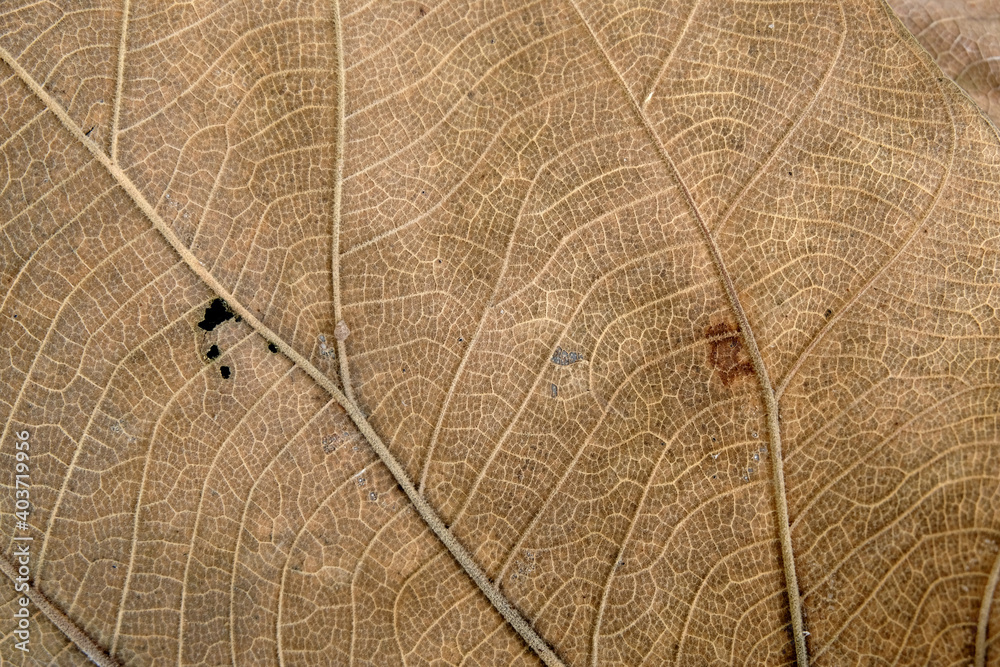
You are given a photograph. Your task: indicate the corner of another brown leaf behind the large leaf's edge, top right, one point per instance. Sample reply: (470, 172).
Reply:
(963, 36)
